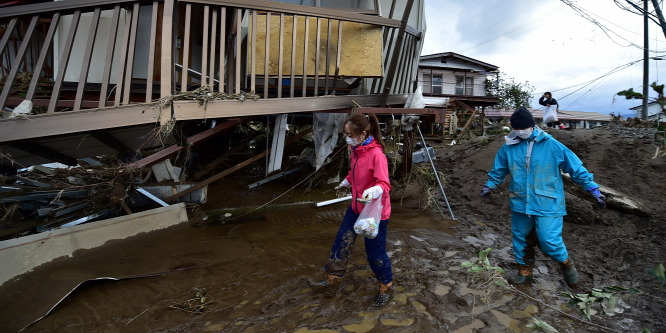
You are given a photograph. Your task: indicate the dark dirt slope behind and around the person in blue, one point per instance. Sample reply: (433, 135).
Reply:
(613, 246)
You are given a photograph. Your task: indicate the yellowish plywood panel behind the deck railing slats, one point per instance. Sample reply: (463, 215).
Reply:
(361, 54)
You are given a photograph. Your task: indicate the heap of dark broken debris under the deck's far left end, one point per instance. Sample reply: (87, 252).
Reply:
(45, 197)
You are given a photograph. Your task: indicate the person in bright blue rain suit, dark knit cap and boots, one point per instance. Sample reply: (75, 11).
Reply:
(534, 159)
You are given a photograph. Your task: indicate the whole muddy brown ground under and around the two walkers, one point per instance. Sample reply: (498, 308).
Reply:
(253, 269)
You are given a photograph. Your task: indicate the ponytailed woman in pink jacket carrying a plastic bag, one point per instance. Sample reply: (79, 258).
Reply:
(368, 179)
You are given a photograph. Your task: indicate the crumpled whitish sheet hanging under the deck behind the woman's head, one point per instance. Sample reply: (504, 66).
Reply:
(326, 127)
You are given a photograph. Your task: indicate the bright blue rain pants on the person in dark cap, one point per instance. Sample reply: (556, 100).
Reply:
(548, 231)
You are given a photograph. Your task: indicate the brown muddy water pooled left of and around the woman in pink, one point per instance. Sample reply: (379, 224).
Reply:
(253, 270)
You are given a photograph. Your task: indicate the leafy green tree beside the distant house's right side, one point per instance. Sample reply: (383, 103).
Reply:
(511, 94)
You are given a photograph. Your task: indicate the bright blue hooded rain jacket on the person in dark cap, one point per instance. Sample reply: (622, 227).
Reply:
(537, 190)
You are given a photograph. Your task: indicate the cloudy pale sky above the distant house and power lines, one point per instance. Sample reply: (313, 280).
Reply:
(548, 44)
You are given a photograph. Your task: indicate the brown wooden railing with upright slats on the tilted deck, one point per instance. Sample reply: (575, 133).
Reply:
(74, 54)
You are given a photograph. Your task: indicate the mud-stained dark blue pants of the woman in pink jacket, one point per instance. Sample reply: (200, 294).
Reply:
(375, 250)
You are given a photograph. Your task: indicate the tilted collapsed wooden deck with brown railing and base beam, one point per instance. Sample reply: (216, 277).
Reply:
(98, 77)
